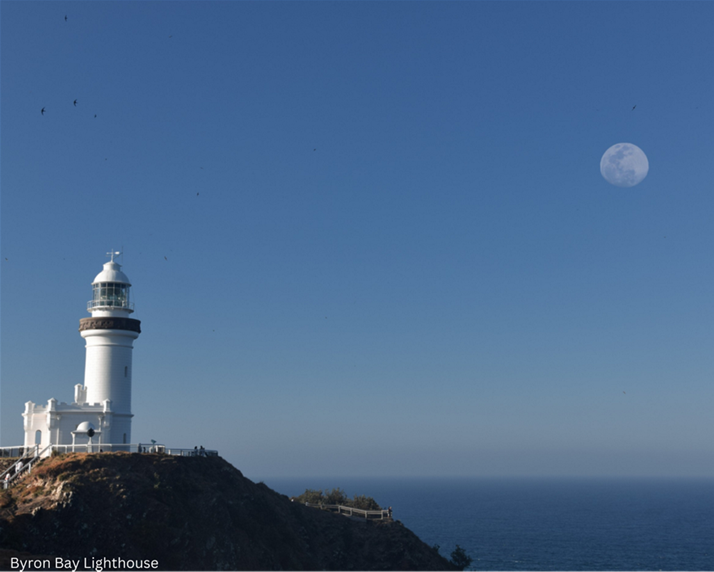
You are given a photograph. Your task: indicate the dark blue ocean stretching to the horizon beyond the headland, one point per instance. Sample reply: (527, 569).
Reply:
(550, 525)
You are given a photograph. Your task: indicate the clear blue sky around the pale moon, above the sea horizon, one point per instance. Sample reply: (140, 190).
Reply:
(371, 238)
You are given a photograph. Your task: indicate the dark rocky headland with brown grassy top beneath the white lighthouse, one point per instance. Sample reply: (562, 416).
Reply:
(191, 514)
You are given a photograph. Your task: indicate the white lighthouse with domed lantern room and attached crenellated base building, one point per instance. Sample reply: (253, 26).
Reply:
(101, 410)
